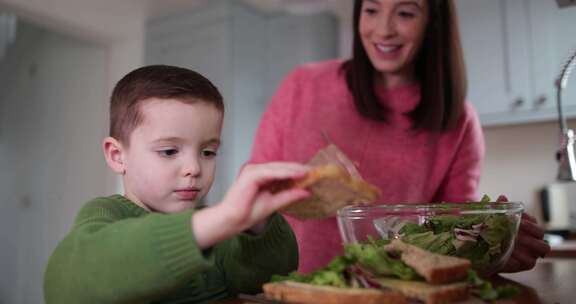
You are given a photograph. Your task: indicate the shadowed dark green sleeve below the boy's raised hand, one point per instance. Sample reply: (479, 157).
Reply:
(249, 261)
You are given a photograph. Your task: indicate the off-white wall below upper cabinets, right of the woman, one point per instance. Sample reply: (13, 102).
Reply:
(520, 160)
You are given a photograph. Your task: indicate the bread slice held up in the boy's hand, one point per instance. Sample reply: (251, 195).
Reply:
(333, 183)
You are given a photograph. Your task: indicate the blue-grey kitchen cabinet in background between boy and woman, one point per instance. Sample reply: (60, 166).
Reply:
(245, 53)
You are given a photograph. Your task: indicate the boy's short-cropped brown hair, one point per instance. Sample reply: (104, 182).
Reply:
(156, 81)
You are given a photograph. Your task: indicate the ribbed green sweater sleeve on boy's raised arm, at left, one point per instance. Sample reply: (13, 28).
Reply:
(110, 259)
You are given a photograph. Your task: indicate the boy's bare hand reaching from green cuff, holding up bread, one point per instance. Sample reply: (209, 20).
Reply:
(247, 202)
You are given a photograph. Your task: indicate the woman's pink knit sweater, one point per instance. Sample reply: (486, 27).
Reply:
(408, 166)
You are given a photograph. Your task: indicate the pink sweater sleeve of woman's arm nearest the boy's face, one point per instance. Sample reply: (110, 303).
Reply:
(269, 141)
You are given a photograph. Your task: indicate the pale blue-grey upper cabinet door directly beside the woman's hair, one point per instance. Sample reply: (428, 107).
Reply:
(485, 42)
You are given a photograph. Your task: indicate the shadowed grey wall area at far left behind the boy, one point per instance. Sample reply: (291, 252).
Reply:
(52, 120)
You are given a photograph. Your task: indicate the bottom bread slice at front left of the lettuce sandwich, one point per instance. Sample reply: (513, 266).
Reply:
(294, 292)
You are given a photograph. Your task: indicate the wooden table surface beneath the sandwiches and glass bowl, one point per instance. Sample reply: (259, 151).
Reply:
(552, 281)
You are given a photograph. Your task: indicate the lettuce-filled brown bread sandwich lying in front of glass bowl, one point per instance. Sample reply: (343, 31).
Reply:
(383, 271)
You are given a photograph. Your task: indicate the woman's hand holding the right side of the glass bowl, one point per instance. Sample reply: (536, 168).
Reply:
(529, 245)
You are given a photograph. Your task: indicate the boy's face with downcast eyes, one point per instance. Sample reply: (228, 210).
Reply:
(170, 163)
